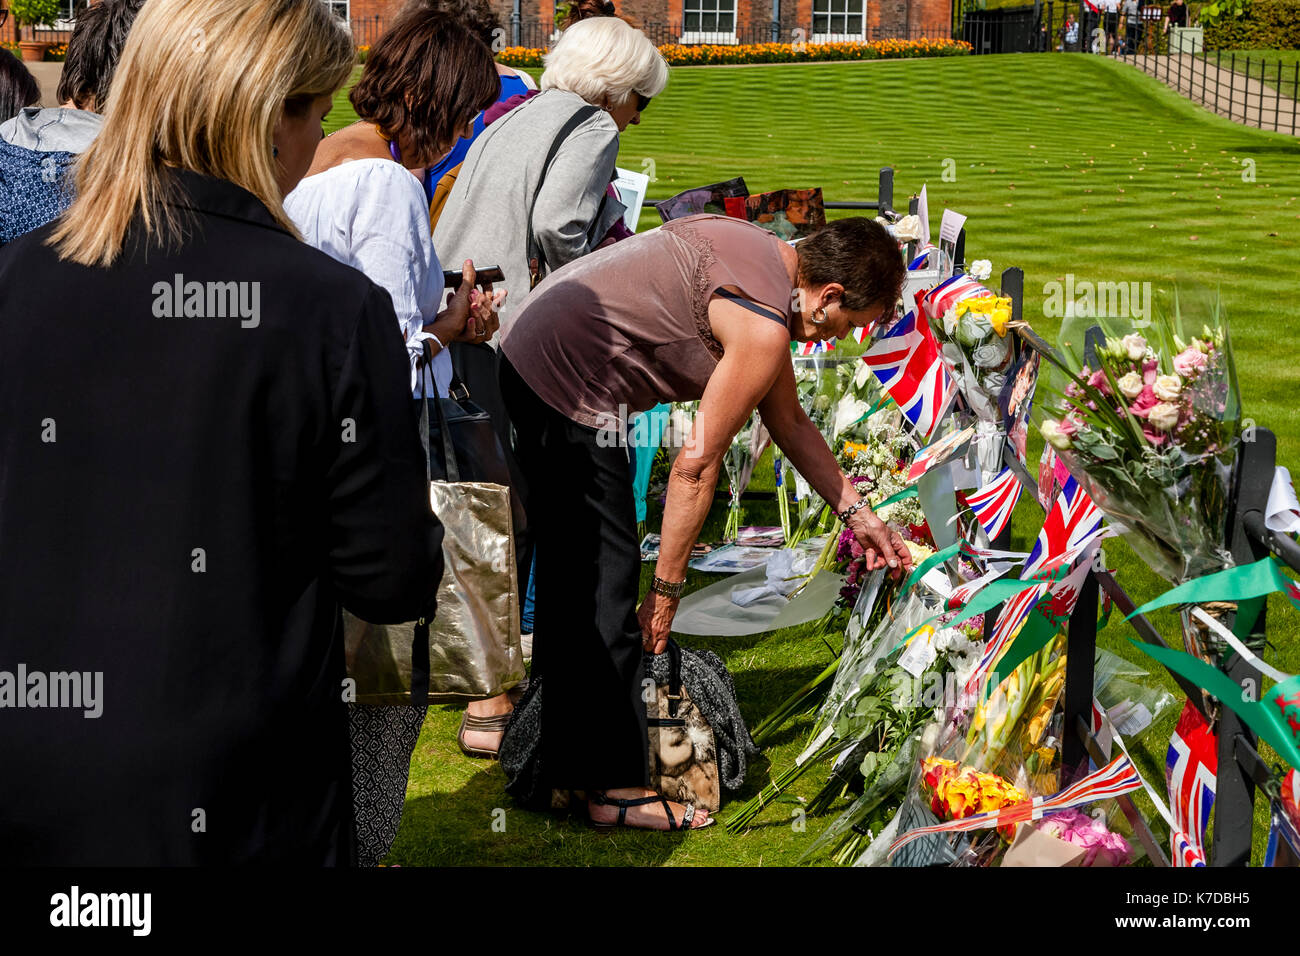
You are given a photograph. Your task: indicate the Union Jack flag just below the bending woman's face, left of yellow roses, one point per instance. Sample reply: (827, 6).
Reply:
(907, 362)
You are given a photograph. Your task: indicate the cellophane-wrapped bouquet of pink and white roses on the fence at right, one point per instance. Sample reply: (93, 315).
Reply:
(1151, 429)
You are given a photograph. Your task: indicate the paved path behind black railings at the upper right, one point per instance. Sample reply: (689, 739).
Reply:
(1229, 94)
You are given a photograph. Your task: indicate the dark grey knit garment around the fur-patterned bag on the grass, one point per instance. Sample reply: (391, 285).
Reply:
(707, 681)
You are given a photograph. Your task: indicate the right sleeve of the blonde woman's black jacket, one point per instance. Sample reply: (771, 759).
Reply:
(385, 548)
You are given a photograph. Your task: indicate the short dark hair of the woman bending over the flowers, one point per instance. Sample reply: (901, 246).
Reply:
(861, 256)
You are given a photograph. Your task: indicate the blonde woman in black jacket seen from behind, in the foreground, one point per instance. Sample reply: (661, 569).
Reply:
(209, 445)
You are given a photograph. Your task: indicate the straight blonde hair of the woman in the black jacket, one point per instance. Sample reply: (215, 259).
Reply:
(201, 86)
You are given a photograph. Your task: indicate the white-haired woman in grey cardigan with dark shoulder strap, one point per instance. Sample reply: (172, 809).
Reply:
(599, 63)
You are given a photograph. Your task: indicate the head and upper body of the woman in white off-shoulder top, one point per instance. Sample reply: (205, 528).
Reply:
(363, 204)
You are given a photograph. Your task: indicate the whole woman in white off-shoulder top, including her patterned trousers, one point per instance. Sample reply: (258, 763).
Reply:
(362, 204)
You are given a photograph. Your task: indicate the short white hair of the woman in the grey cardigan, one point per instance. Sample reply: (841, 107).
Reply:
(605, 58)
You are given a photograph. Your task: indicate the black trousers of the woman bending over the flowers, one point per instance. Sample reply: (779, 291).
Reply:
(587, 637)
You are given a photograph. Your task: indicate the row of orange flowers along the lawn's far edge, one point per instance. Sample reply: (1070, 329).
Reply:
(774, 53)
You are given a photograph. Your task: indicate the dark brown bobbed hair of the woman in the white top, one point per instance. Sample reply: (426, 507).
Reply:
(426, 79)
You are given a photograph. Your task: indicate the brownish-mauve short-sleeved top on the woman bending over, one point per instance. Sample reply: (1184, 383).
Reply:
(629, 325)
